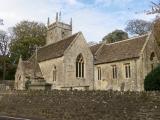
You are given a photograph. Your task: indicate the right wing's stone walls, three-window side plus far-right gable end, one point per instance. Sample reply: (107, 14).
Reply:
(140, 67)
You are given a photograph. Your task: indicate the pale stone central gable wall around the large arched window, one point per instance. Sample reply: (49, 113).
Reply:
(78, 47)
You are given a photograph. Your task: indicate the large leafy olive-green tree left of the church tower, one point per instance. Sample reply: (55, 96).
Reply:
(25, 35)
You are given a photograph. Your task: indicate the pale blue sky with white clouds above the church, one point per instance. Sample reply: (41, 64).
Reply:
(95, 18)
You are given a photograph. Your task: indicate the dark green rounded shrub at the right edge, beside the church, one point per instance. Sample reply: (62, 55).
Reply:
(152, 80)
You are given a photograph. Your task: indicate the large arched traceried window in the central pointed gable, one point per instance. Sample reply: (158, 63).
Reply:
(80, 66)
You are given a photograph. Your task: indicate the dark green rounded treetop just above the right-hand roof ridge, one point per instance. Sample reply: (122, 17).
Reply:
(115, 36)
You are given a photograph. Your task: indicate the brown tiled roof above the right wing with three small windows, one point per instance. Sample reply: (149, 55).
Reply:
(122, 50)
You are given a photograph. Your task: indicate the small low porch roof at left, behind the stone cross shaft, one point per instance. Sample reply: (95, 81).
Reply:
(28, 68)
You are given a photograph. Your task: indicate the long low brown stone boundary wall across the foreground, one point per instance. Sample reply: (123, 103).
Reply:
(80, 105)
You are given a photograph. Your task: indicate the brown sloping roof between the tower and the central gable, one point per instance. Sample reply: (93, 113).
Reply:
(55, 50)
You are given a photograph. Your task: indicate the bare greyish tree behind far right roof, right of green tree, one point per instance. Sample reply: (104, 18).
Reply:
(138, 27)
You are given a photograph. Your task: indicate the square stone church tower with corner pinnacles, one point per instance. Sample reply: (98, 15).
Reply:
(58, 30)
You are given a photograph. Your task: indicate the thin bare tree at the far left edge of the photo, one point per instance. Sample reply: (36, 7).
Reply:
(4, 41)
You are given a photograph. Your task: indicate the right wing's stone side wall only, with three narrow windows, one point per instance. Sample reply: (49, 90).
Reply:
(107, 81)
